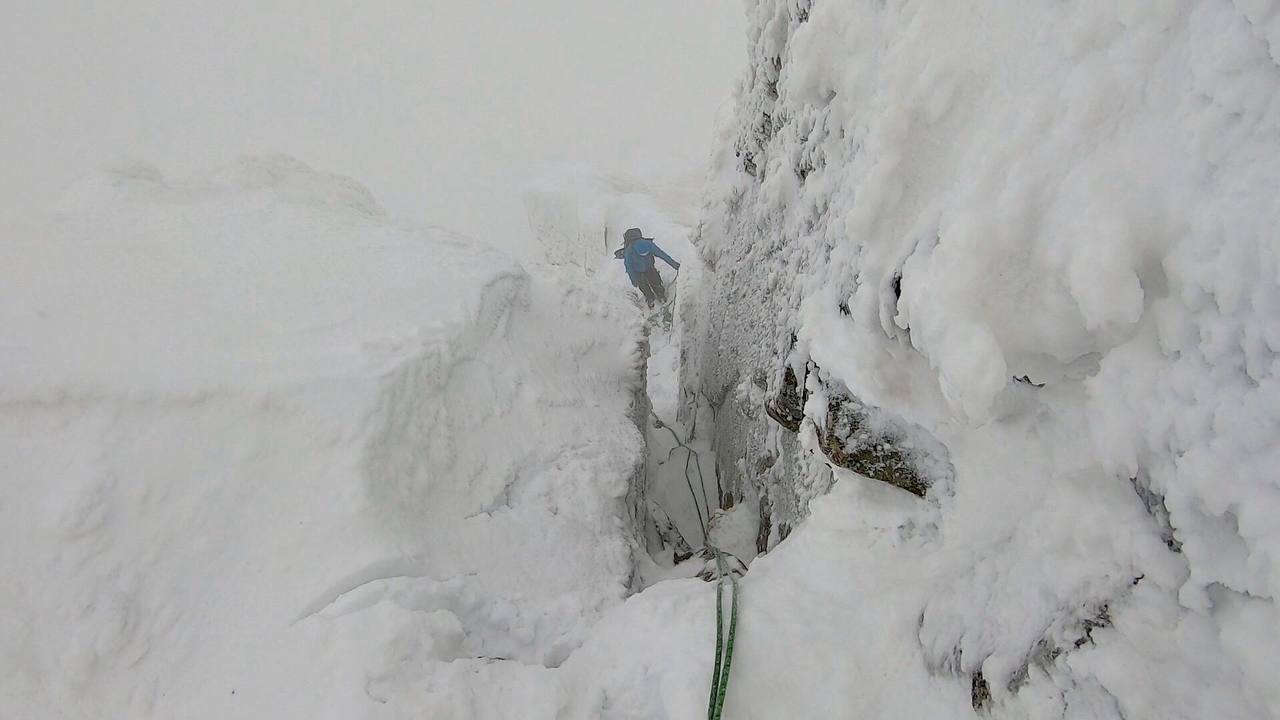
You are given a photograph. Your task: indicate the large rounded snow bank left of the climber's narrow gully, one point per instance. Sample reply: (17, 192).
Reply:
(266, 453)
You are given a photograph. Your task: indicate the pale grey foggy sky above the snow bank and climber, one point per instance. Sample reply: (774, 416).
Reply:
(444, 108)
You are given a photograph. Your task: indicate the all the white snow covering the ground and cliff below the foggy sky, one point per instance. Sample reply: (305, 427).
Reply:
(268, 452)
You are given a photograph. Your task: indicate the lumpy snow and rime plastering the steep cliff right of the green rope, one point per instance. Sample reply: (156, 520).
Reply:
(939, 198)
